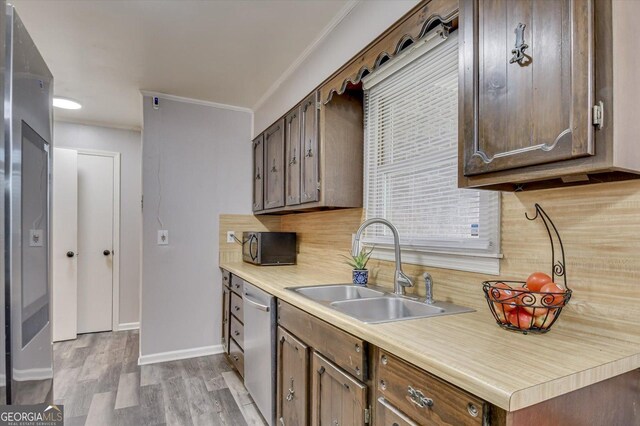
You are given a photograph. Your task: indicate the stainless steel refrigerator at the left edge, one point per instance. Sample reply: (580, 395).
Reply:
(27, 370)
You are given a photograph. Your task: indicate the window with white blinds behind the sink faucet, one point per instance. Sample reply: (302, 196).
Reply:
(411, 163)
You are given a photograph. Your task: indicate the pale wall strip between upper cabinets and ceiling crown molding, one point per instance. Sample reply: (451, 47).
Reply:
(361, 26)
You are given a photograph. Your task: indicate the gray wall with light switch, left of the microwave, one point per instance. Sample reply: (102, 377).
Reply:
(196, 164)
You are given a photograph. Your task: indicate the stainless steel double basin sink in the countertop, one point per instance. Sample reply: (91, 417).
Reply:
(374, 306)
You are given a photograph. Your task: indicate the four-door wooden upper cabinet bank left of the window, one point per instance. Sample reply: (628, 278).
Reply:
(322, 149)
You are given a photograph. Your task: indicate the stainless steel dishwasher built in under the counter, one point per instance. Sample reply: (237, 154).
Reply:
(260, 349)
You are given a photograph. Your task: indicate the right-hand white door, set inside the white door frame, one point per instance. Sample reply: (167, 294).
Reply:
(95, 242)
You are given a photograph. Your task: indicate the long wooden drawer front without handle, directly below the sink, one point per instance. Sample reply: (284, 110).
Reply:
(341, 348)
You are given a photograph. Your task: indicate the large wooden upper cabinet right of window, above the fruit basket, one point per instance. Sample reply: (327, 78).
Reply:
(541, 104)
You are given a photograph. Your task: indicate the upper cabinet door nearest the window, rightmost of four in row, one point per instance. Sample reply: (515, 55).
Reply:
(311, 157)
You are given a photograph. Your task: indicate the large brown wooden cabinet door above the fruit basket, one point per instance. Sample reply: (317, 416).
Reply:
(527, 89)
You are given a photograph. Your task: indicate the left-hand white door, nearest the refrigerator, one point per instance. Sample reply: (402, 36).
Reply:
(64, 250)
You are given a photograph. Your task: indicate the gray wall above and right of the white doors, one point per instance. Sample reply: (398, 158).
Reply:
(128, 143)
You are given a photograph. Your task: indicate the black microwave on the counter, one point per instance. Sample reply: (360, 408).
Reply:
(269, 248)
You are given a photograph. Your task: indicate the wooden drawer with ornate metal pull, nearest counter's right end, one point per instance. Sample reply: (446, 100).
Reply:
(425, 398)
